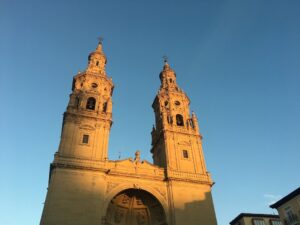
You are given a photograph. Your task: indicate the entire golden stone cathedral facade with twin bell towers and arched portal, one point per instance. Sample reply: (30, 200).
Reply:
(86, 188)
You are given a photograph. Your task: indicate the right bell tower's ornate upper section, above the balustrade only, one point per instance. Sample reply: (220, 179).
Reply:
(176, 141)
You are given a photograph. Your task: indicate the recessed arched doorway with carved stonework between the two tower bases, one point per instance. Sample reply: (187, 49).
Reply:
(135, 207)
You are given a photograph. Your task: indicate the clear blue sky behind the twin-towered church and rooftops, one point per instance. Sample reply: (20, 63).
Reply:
(238, 61)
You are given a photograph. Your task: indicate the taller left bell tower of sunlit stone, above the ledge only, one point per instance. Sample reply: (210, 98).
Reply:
(88, 118)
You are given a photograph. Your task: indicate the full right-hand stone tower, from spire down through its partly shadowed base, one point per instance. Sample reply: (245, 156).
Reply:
(177, 147)
